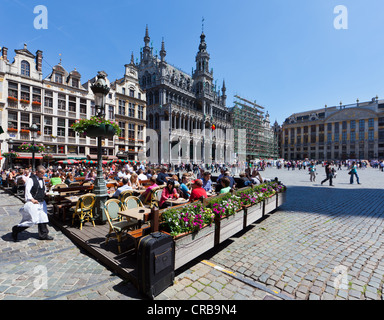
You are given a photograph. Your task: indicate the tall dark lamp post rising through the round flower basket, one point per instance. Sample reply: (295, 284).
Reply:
(100, 89)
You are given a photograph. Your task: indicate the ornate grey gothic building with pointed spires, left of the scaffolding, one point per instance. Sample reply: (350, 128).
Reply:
(187, 118)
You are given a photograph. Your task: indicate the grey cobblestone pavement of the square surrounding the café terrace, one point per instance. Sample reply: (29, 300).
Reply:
(324, 243)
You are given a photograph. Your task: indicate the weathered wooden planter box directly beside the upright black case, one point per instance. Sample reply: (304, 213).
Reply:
(191, 245)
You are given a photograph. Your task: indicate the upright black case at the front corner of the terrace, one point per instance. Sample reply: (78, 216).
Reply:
(156, 263)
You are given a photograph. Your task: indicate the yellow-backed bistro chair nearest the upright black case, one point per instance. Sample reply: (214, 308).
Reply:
(117, 227)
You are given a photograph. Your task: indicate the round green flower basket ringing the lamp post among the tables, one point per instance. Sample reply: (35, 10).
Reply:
(96, 127)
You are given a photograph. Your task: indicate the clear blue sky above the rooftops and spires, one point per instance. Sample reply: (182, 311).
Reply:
(286, 55)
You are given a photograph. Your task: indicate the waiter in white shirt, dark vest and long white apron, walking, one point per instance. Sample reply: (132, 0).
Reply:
(35, 208)
